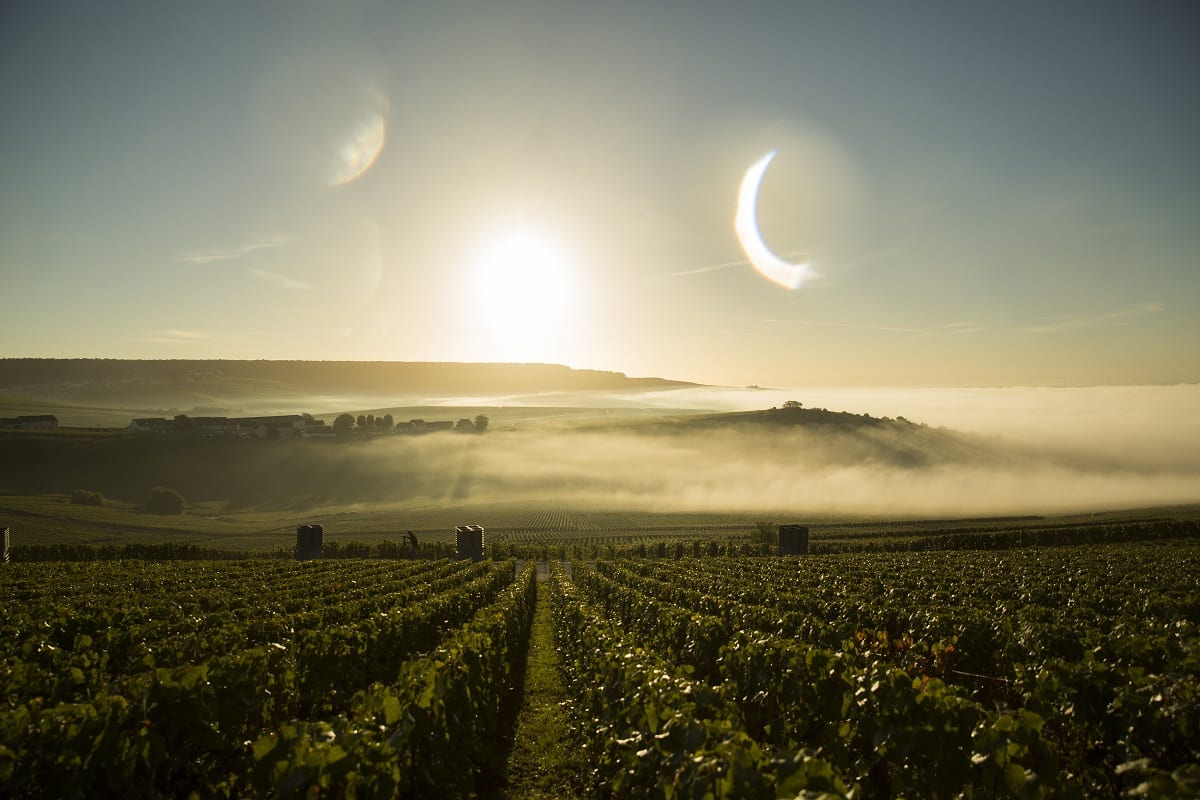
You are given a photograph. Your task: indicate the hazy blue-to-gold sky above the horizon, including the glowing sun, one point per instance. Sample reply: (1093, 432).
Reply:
(985, 194)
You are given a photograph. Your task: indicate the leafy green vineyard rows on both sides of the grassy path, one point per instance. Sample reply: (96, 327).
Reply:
(1027, 672)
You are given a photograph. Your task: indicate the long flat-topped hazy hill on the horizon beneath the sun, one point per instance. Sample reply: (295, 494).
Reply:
(218, 383)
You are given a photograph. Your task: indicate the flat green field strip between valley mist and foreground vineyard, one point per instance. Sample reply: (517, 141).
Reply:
(524, 530)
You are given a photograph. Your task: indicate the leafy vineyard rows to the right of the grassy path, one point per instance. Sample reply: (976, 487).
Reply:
(1058, 673)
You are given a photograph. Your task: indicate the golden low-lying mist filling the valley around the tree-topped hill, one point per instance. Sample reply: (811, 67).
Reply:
(1007, 452)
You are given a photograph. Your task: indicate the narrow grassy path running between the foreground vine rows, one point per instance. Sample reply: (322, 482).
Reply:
(543, 765)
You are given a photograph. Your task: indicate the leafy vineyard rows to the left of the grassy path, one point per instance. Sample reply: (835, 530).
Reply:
(127, 679)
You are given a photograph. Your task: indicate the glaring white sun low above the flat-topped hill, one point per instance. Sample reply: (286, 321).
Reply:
(524, 292)
